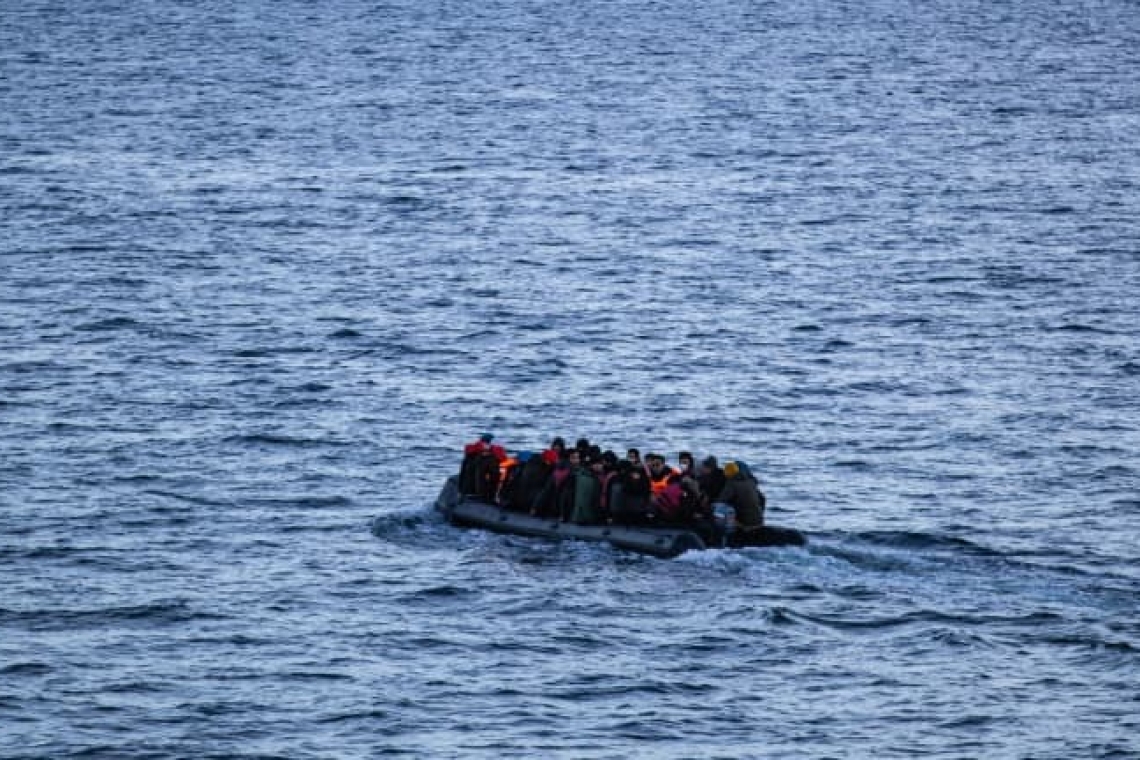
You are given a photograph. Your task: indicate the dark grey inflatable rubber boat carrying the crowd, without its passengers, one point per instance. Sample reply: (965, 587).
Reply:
(666, 543)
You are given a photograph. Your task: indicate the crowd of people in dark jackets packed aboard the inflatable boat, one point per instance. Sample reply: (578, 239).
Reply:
(588, 486)
